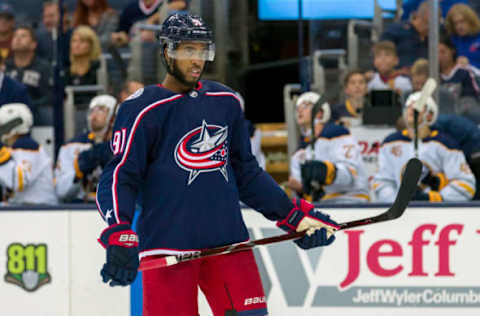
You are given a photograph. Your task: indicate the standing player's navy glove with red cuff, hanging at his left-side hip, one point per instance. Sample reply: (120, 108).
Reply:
(122, 254)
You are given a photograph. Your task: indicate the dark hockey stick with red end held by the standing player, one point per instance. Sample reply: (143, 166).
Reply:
(405, 193)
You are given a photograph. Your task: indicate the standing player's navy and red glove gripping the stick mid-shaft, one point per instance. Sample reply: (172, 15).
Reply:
(320, 227)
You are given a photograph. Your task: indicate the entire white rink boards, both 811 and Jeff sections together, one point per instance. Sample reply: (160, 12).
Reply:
(426, 262)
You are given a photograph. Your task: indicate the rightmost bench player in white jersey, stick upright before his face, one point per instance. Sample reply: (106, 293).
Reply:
(446, 175)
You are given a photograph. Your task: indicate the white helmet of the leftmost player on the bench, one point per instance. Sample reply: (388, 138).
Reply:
(11, 111)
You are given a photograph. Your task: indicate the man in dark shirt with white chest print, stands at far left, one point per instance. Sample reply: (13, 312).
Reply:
(34, 72)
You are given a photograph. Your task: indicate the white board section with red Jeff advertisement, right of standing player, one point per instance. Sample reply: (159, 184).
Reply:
(423, 262)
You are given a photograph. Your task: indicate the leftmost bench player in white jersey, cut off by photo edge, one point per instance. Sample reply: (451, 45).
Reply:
(26, 174)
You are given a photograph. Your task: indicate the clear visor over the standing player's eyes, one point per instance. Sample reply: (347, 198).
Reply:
(186, 51)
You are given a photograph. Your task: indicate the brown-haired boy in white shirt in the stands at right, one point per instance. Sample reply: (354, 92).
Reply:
(385, 60)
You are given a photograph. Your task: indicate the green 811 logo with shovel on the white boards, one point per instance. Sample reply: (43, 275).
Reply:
(27, 266)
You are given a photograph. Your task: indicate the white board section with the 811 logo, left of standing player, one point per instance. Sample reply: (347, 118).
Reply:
(50, 265)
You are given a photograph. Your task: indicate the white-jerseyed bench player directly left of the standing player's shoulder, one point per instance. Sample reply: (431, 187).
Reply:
(81, 160)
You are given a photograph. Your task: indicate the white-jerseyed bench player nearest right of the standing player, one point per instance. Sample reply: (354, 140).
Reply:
(333, 170)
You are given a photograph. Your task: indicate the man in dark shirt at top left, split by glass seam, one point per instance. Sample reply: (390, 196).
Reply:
(46, 33)
